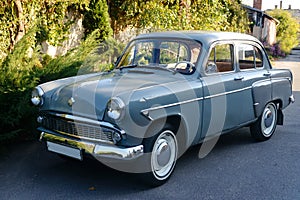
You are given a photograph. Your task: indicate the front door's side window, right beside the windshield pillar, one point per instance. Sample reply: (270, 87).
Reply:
(220, 59)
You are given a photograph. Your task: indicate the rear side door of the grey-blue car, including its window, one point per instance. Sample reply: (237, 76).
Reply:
(254, 67)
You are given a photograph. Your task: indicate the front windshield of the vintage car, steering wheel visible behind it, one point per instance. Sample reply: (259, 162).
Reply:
(161, 53)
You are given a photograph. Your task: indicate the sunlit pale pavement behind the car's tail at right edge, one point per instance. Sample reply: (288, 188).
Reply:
(291, 62)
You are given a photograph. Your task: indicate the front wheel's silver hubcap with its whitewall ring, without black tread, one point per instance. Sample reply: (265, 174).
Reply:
(164, 155)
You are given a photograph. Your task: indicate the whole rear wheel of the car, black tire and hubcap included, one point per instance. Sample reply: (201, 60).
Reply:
(265, 126)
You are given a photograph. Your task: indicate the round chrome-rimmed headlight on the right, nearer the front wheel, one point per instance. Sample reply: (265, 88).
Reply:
(115, 108)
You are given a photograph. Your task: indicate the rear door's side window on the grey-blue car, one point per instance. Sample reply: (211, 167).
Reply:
(250, 57)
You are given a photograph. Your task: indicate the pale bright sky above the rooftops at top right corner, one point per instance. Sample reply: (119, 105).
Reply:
(270, 4)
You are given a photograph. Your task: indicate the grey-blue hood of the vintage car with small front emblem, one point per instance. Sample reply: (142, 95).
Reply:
(88, 95)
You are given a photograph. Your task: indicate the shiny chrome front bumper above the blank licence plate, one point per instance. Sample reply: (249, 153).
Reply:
(97, 150)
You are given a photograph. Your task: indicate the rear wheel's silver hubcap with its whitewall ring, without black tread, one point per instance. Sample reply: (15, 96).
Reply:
(268, 120)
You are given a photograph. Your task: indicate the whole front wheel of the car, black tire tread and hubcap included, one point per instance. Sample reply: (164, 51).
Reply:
(161, 155)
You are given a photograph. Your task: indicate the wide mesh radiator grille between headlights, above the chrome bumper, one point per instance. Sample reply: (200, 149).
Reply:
(77, 129)
